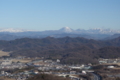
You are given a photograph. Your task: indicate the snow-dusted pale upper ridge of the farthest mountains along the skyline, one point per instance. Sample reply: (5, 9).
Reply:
(67, 30)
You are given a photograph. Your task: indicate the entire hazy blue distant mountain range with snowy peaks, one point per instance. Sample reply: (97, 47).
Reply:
(11, 34)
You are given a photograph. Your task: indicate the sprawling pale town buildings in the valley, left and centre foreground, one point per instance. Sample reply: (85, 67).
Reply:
(41, 66)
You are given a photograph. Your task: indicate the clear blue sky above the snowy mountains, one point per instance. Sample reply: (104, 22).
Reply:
(54, 14)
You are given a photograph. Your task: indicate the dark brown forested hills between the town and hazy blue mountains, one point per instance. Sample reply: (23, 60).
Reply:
(69, 50)
